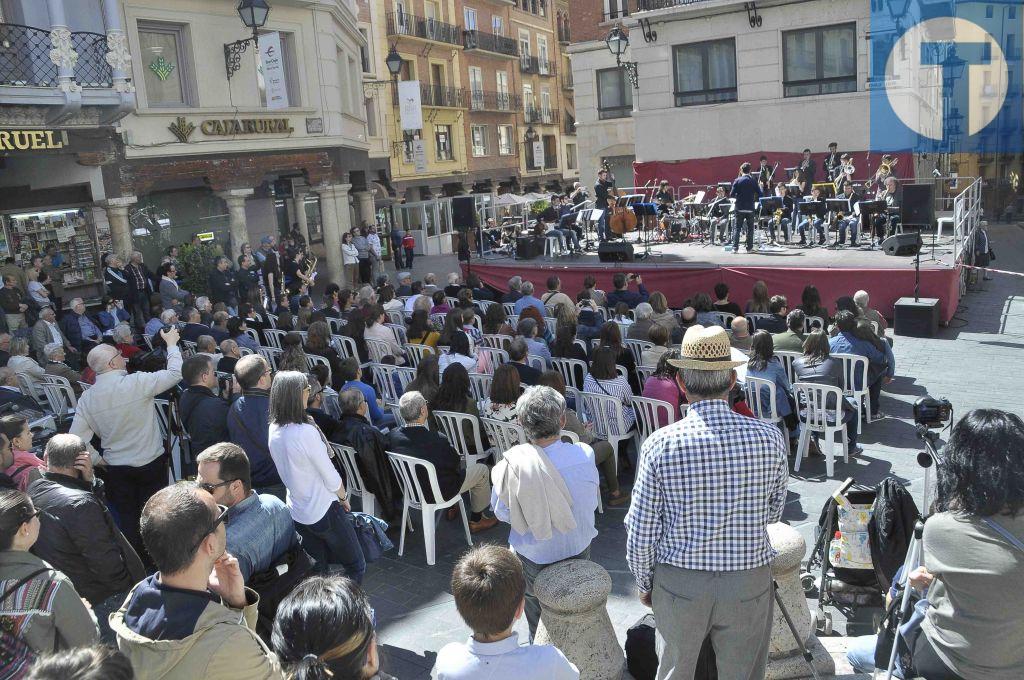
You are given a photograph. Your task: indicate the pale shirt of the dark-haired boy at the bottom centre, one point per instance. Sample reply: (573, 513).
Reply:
(504, 660)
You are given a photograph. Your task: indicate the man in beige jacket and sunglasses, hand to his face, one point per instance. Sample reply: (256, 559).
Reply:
(194, 618)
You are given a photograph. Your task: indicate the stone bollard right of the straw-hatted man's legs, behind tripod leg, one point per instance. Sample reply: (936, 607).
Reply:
(785, 660)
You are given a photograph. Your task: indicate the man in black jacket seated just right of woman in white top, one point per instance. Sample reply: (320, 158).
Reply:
(355, 431)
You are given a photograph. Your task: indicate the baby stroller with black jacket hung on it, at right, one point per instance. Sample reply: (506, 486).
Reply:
(843, 550)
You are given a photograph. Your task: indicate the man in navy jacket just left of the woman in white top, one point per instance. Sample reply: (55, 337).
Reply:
(248, 420)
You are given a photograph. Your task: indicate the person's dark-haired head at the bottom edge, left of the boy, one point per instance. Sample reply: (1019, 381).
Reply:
(324, 630)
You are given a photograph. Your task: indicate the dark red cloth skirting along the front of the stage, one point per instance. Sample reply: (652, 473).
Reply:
(681, 283)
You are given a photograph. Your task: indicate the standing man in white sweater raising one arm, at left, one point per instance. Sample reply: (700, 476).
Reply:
(120, 410)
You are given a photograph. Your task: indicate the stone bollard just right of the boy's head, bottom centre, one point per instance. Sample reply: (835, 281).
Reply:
(574, 600)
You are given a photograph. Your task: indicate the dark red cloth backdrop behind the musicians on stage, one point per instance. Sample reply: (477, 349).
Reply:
(708, 172)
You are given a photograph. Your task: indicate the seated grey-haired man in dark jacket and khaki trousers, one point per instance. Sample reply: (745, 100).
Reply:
(415, 440)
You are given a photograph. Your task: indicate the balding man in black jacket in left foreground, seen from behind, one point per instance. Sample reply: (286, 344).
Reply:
(77, 534)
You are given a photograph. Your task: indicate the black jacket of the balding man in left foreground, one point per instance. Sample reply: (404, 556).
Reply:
(78, 537)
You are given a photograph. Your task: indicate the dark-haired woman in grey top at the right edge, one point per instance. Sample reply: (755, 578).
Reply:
(974, 559)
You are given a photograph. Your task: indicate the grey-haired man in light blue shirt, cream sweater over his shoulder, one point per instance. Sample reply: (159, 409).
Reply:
(547, 491)
